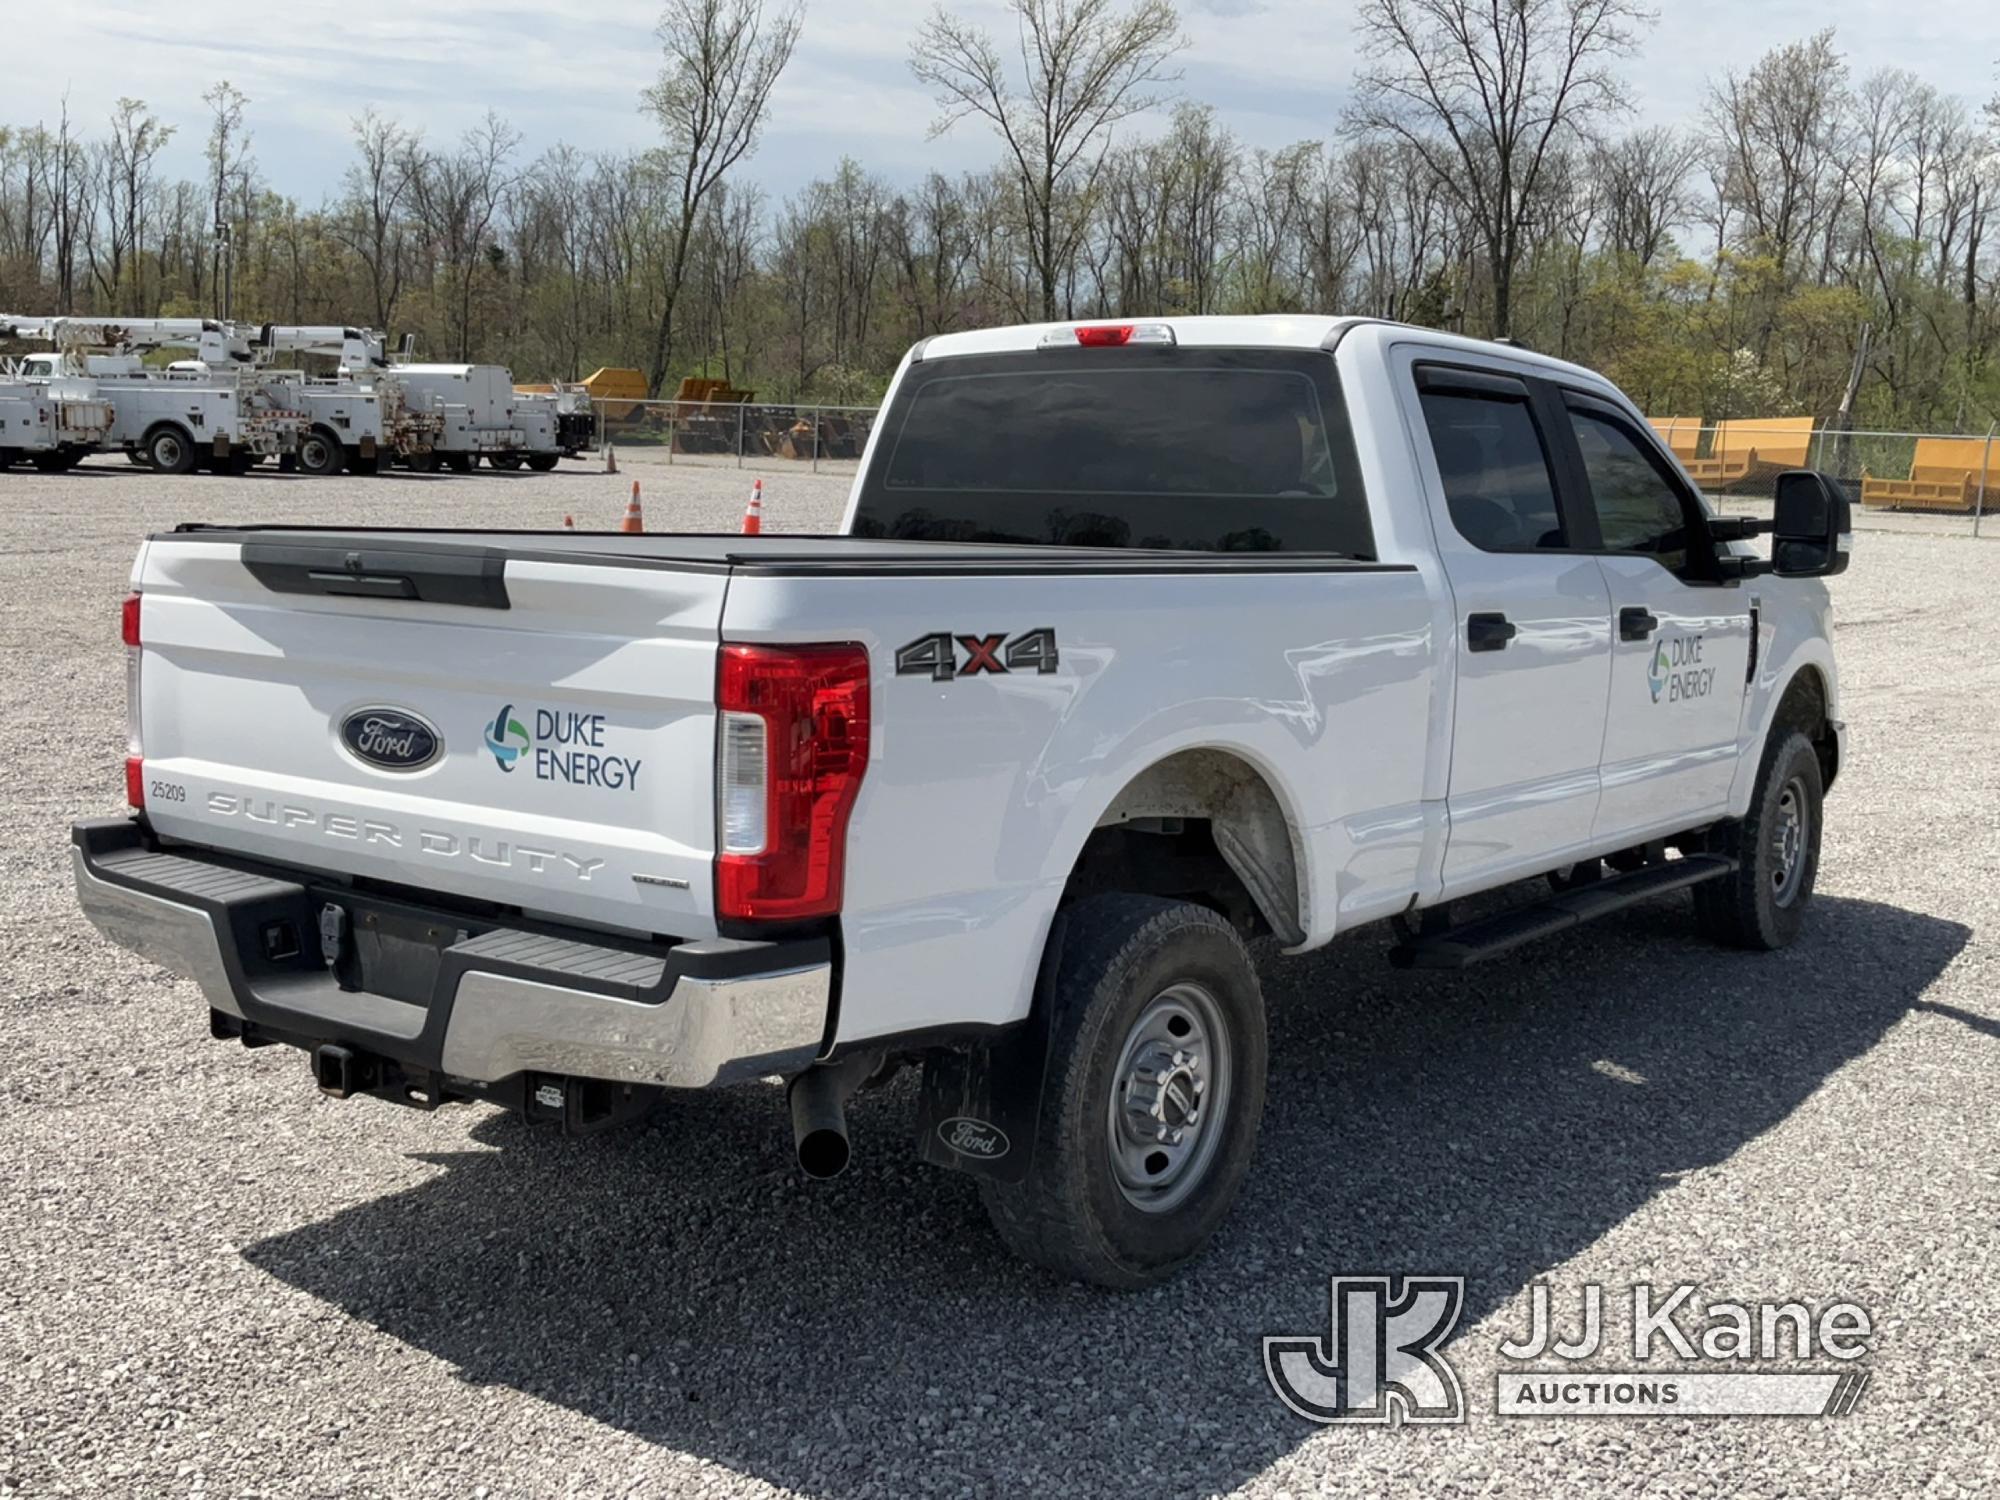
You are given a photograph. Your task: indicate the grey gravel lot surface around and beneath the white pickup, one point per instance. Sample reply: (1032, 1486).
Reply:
(219, 1283)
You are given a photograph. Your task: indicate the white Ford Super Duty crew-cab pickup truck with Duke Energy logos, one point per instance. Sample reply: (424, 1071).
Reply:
(1141, 639)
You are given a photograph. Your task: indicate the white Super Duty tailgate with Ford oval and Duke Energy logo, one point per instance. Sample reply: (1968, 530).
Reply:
(571, 703)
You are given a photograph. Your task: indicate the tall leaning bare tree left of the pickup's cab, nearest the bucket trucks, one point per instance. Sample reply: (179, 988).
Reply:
(711, 103)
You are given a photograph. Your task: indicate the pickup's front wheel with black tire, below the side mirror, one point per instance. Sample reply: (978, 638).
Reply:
(1763, 905)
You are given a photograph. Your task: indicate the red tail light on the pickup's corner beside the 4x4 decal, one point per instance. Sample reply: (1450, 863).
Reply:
(793, 747)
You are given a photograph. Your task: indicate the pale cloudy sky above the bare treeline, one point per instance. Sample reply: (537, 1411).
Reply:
(571, 71)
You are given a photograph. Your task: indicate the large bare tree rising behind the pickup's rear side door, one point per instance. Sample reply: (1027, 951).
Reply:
(1483, 91)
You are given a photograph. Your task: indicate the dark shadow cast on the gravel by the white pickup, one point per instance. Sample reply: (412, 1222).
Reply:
(683, 1285)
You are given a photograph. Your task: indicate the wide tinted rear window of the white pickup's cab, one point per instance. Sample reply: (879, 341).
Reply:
(1213, 451)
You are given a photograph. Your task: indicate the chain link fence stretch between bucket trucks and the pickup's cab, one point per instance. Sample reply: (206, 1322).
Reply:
(821, 439)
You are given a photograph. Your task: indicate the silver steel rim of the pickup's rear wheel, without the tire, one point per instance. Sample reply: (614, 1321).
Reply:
(1169, 1097)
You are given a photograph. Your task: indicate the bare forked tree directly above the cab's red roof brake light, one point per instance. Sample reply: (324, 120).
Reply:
(1083, 69)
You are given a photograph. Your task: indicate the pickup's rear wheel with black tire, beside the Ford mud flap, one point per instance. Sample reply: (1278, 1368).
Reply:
(1079, 1213)
